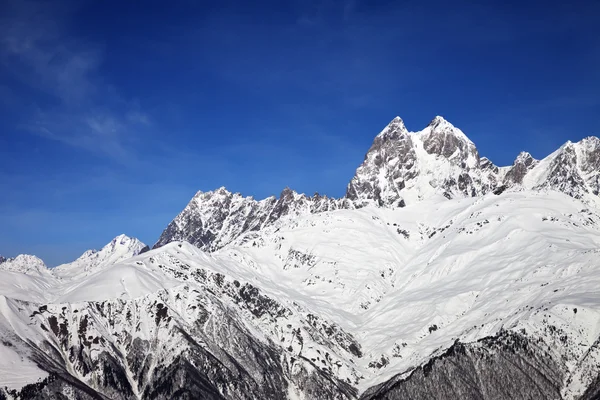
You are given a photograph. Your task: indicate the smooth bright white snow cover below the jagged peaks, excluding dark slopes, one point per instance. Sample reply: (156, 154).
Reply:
(405, 283)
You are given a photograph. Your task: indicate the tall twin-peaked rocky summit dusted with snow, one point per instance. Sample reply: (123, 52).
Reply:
(403, 167)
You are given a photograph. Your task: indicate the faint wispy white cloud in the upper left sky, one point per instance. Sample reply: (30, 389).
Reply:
(83, 110)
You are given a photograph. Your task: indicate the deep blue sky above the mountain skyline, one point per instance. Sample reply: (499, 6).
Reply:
(113, 114)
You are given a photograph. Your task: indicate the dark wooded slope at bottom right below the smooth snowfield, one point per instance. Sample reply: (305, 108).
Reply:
(505, 367)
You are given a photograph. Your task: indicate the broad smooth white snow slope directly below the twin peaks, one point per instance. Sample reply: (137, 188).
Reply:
(440, 271)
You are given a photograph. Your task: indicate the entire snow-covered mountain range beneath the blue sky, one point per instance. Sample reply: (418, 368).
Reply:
(439, 275)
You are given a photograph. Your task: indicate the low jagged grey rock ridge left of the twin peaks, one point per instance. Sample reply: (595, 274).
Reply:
(212, 220)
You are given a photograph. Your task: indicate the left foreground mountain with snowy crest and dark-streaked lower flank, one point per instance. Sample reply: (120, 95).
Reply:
(164, 324)
